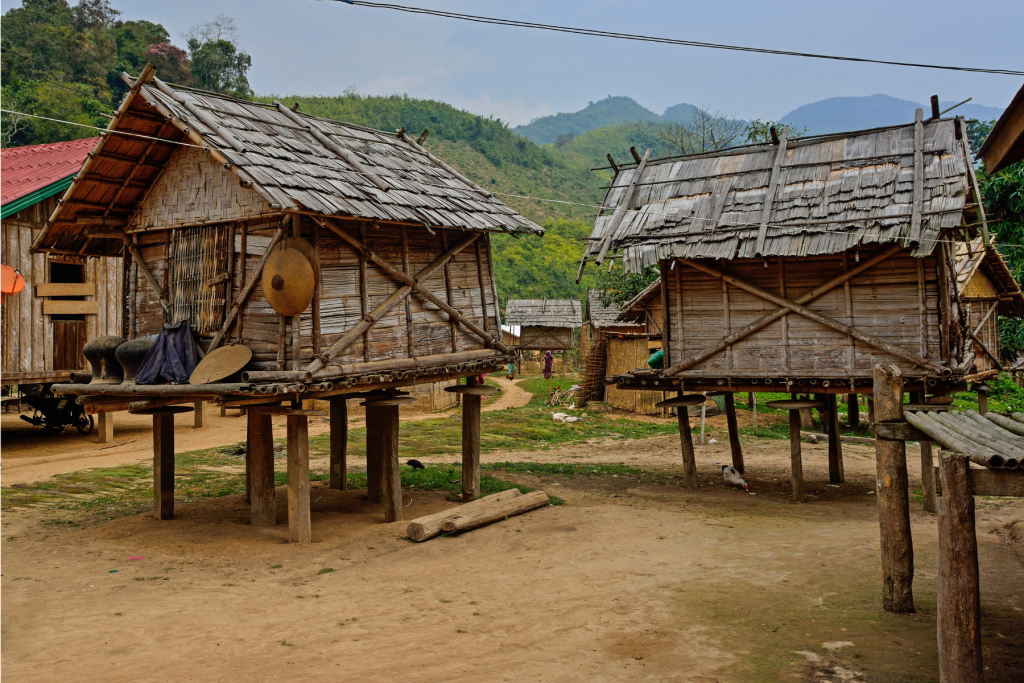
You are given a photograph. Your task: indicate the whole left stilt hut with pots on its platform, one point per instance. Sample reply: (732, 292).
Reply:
(197, 190)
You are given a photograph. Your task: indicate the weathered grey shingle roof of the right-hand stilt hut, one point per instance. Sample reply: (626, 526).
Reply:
(835, 193)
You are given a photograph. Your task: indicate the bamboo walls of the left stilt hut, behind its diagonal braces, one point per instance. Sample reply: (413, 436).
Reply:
(343, 301)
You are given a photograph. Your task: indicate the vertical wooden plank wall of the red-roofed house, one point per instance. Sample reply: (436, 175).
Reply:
(28, 334)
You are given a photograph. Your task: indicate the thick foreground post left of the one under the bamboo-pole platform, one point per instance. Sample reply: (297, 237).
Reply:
(892, 488)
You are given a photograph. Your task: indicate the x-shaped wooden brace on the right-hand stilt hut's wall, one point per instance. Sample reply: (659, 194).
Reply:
(797, 307)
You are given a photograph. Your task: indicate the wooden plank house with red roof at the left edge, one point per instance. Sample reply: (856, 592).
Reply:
(68, 297)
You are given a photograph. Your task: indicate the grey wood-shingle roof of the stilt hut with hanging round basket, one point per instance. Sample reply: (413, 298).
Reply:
(294, 162)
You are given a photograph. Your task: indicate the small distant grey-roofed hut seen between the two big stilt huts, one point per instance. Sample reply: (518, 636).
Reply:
(546, 325)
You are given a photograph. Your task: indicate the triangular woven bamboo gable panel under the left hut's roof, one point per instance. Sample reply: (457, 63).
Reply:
(194, 191)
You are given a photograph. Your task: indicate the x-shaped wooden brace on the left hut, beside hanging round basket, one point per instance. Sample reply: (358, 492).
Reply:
(412, 284)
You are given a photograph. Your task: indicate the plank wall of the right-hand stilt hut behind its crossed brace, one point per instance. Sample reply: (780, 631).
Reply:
(884, 306)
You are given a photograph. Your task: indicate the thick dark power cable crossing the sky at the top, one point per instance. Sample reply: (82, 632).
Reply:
(667, 41)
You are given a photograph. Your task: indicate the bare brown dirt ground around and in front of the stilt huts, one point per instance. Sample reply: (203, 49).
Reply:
(633, 579)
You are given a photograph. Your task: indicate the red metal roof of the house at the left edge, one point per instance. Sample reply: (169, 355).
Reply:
(27, 169)
